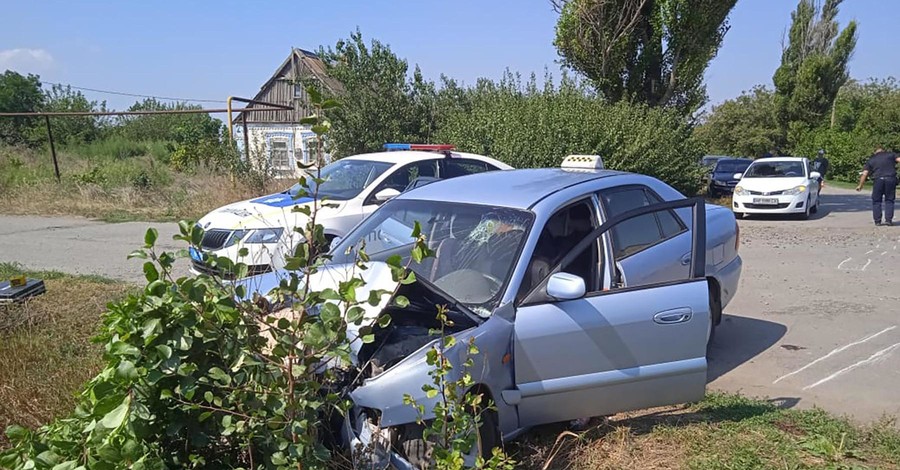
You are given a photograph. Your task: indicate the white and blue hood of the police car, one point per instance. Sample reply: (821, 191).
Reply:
(273, 210)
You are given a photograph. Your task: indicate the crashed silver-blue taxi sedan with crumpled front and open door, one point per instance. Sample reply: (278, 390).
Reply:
(529, 264)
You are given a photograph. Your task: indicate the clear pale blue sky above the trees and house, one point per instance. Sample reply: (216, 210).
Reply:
(210, 50)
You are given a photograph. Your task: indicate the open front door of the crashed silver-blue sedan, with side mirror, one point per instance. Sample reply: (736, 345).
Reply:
(616, 350)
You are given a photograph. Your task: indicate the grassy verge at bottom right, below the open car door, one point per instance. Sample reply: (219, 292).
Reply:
(725, 431)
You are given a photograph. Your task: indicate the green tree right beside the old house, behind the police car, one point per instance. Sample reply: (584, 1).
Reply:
(384, 104)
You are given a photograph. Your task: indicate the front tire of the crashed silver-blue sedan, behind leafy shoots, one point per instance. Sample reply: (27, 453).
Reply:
(419, 451)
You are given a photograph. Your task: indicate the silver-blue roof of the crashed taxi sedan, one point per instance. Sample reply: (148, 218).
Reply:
(519, 189)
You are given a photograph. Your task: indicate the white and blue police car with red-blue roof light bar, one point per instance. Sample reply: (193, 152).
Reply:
(354, 187)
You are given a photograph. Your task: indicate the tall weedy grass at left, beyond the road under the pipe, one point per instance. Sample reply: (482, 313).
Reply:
(115, 181)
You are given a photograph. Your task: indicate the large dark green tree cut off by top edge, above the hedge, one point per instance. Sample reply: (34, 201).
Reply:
(650, 51)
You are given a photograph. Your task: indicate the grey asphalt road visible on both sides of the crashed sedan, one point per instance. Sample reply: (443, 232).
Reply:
(816, 320)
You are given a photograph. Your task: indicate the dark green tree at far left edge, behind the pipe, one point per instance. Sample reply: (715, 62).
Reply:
(19, 94)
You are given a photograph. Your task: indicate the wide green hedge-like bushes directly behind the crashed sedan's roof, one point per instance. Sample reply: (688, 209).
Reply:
(530, 126)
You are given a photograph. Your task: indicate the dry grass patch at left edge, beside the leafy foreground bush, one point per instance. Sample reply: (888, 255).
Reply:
(46, 353)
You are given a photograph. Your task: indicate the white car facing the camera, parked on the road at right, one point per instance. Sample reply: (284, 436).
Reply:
(779, 185)
